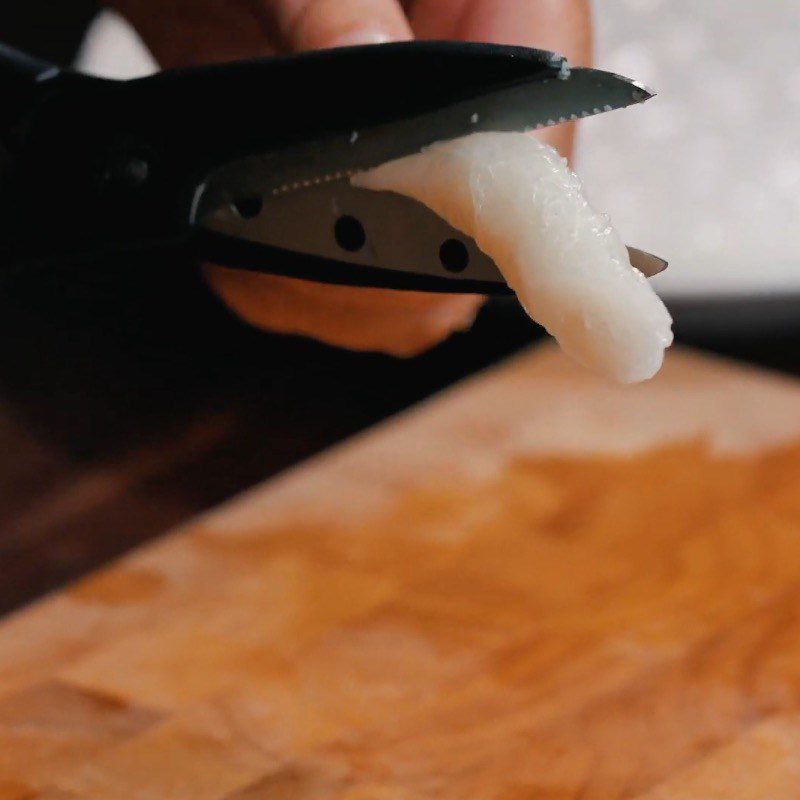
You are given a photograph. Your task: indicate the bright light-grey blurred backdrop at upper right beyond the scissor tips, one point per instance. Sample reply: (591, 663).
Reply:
(709, 171)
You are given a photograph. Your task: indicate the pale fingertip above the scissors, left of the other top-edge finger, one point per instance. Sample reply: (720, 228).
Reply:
(314, 24)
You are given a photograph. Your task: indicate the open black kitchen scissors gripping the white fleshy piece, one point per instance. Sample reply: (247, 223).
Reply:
(247, 164)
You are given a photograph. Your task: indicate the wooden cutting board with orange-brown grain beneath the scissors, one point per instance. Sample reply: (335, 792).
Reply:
(536, 585)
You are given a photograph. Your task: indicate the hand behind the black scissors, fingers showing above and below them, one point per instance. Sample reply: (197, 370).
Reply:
(186, 32)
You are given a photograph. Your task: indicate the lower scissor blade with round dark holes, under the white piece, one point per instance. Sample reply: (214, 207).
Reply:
(337, 233)
